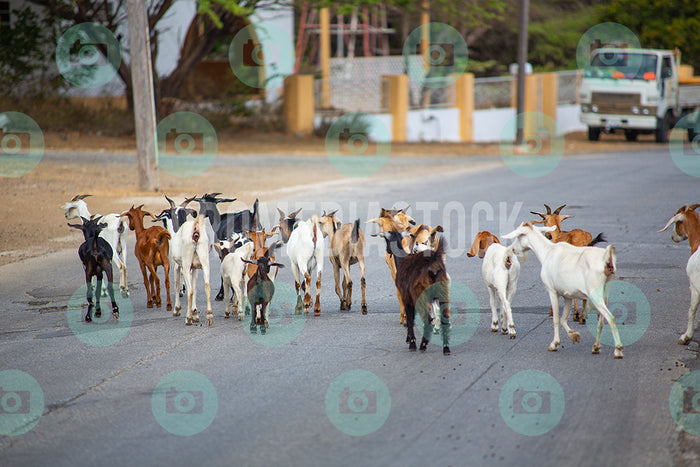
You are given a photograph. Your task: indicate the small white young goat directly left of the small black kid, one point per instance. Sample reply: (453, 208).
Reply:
(233, 271)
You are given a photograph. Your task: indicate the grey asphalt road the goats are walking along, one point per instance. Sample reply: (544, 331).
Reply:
(282, 399)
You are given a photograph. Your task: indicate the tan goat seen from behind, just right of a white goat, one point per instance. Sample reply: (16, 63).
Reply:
(347, 246)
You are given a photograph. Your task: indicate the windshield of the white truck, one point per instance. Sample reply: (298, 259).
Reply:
(622, 65)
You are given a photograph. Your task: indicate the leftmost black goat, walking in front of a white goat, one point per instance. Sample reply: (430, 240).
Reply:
(96, 256)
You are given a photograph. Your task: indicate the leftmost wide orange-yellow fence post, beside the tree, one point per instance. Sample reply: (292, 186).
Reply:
(299, 104)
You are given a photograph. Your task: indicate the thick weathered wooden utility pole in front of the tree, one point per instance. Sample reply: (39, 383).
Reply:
(142, 90)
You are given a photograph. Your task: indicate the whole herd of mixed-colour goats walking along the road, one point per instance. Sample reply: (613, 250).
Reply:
(571, 266)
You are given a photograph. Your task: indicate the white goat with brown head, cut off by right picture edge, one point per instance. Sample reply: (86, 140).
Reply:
(687, 226)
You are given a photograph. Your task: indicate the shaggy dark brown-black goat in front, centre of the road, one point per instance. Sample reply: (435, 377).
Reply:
(422, 281)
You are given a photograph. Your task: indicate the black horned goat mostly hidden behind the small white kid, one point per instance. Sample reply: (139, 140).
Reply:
(227, 224)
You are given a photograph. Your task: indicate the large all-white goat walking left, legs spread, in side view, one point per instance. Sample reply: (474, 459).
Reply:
(571, 272)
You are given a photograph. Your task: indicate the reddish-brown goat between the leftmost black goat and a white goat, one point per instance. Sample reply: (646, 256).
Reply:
(152, 250)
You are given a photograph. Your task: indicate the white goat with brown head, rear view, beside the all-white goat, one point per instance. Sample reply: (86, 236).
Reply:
(500, 271)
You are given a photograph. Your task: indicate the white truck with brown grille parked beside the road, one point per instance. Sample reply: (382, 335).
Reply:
(638, 91)
